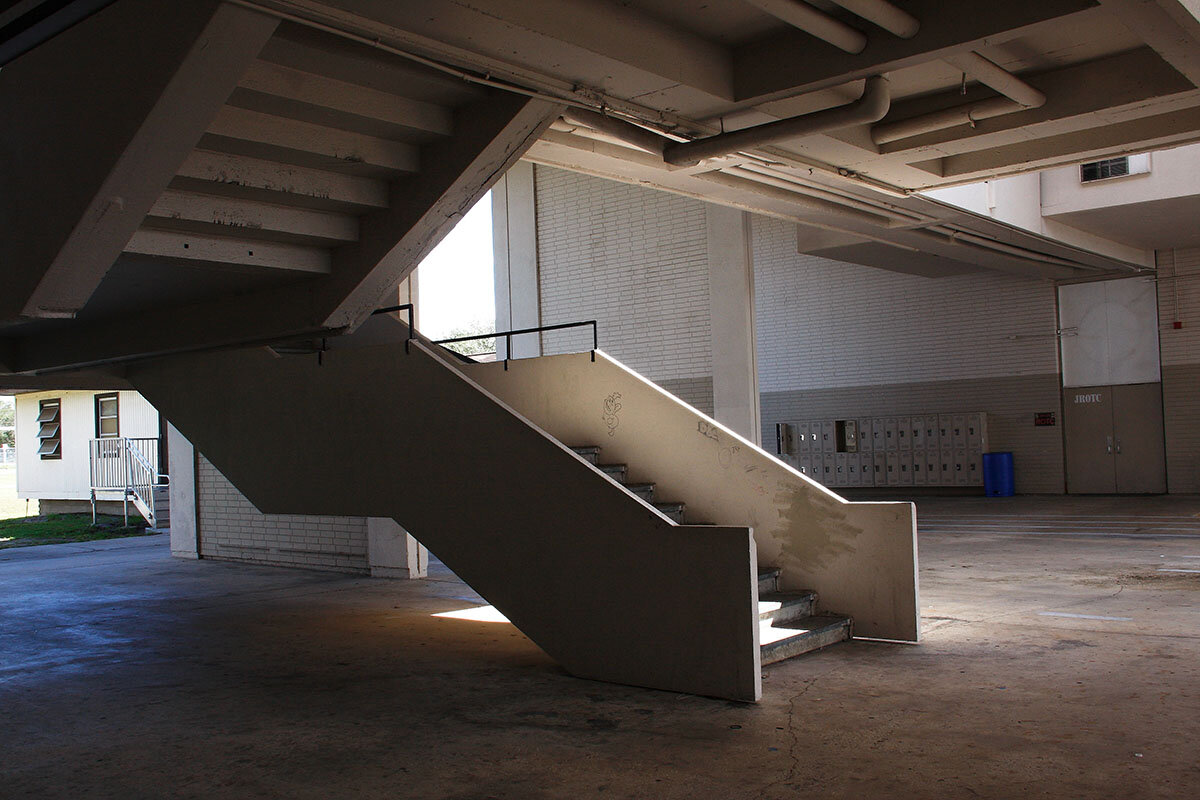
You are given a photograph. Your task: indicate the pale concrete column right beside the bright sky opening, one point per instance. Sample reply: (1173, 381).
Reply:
(515, 254)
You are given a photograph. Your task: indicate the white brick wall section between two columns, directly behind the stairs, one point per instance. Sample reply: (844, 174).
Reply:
(635, 261)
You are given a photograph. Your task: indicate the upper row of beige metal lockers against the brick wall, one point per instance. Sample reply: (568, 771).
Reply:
(928, 432)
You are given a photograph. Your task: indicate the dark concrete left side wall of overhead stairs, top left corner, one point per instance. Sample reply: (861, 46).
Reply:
(143, 86)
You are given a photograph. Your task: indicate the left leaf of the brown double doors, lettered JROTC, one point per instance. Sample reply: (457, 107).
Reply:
(1088, 418)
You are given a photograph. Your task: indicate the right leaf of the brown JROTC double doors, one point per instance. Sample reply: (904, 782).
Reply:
(1138, 440)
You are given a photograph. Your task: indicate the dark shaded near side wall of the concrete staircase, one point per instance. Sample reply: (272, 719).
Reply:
(603, 582)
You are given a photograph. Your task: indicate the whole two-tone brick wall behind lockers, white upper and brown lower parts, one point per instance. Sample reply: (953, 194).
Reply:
(845, 341)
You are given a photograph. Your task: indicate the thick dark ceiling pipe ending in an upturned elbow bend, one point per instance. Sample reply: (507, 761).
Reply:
(871, 107)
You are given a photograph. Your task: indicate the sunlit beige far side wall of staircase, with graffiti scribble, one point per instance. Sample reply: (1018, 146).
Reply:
(860, 557)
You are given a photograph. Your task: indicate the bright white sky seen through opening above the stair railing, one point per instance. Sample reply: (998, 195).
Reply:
(454, 284)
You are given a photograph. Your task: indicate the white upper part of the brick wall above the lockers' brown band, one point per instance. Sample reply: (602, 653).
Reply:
(825, 324)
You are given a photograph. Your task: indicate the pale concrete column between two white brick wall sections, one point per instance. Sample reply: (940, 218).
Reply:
(731, 311)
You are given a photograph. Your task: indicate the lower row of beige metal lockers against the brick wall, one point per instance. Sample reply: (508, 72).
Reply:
(893, 468)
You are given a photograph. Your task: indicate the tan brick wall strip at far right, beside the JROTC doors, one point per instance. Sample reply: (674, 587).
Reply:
(1179, 299)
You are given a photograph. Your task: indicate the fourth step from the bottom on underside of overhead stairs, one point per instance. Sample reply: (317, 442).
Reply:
(279, 139)
